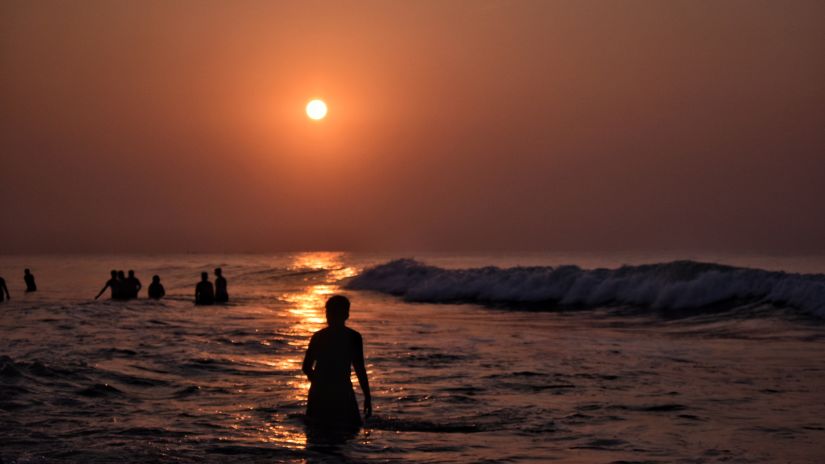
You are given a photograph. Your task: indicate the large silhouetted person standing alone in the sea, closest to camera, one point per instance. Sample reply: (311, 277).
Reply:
(331, 353)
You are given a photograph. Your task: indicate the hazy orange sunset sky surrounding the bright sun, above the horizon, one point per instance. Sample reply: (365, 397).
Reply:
(453, 125)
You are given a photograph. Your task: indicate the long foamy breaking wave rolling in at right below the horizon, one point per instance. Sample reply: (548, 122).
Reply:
(677, 285)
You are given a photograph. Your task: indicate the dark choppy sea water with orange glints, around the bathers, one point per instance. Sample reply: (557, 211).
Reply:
(86, 381)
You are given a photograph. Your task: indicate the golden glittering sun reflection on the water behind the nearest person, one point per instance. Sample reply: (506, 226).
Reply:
(308, 316)
